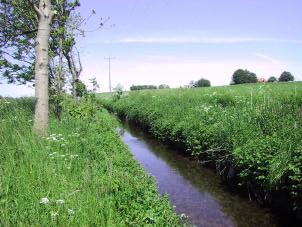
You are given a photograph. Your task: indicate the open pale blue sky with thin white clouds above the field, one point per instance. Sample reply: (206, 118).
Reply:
(174, 41)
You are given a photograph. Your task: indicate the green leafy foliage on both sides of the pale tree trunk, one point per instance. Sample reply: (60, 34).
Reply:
(19, 21)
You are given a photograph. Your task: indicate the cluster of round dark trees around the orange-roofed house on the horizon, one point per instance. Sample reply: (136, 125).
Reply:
(241, 76)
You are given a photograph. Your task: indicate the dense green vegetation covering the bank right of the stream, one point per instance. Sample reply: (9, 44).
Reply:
(251, 132)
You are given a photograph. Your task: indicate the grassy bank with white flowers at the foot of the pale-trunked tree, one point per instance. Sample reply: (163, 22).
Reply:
(81, 175)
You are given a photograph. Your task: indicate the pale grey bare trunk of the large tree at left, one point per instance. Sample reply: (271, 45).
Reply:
(45, 14)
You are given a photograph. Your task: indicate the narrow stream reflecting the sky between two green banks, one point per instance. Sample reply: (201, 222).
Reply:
(194, 190)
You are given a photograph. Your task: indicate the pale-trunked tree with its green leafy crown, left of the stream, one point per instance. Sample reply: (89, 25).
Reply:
(35, 33)
